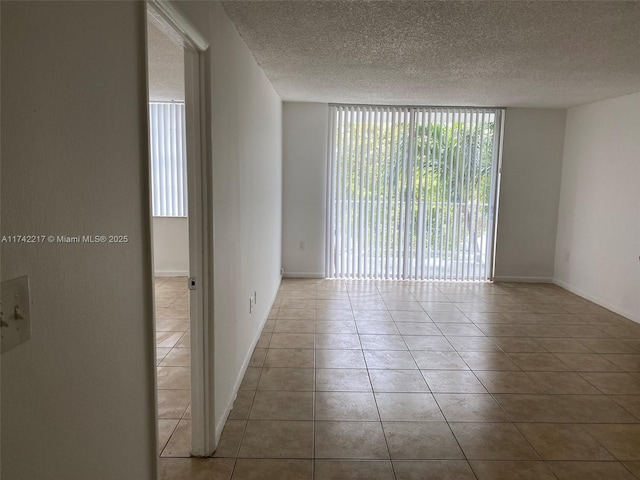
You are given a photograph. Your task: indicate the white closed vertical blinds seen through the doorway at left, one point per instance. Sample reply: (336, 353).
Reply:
(168, 159)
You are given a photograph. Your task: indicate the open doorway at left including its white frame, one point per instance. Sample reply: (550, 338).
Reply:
(178, 188)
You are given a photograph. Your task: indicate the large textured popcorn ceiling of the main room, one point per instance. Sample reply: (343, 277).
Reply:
(485, 53)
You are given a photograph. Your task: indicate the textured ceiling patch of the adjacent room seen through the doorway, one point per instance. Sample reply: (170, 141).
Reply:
(166, 66)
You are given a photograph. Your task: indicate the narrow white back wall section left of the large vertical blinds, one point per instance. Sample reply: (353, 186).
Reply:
(305, 127)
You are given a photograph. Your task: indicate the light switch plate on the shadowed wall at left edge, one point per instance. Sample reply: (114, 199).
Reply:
(16, 312)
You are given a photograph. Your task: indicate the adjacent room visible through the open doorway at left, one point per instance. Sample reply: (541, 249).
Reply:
(169, 201)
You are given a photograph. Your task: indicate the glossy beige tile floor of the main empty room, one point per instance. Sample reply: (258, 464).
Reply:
(407, 381)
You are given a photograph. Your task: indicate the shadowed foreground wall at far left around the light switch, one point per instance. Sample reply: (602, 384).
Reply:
(77, 398)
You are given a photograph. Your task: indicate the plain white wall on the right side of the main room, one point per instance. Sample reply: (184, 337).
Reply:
(598, 242)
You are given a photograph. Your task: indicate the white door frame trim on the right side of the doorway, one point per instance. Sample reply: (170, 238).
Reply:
(182, 31)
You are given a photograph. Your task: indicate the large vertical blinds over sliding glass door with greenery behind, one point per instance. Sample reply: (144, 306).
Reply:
(412, 192)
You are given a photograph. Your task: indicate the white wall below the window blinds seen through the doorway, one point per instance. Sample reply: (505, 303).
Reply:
(170, 246)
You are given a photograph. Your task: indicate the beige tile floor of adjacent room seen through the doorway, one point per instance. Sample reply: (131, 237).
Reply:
(173, 366)
